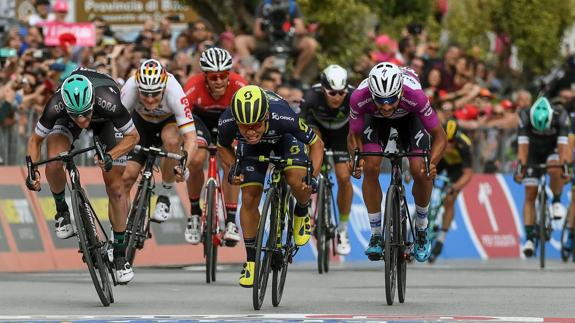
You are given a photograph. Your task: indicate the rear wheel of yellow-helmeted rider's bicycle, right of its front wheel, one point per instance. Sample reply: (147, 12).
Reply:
(281, 267)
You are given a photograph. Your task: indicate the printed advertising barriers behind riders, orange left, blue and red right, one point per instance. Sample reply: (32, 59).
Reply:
(488, 224)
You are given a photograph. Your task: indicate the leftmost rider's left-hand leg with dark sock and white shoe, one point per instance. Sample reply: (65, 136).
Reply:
(56, 177)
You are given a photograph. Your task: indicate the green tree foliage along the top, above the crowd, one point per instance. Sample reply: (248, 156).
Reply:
(534, 26)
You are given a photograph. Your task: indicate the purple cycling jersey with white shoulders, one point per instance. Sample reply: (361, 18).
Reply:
(413, 101)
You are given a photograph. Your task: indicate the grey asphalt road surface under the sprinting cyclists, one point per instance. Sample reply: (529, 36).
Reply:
(449, 289)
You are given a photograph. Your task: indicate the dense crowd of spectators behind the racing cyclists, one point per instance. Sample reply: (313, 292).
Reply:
(457, 81)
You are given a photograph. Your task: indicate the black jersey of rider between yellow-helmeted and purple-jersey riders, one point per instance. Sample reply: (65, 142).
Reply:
(316, 111)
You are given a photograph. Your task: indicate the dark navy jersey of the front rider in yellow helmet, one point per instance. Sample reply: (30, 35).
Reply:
(282, 121)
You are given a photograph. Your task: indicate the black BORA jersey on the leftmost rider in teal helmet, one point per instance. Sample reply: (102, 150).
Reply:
(107, 105)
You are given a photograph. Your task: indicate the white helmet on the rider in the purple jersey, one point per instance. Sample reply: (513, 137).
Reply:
(385, 81)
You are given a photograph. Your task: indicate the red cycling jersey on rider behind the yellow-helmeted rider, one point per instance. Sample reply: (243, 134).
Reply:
(199, 95)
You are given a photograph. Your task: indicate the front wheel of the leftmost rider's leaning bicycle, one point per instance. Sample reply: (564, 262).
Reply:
(91, 246)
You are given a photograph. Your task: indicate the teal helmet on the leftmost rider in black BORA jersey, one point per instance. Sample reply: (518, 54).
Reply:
(78, 93)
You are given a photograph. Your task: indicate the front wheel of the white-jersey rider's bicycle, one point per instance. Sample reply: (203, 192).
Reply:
(136, 228)
